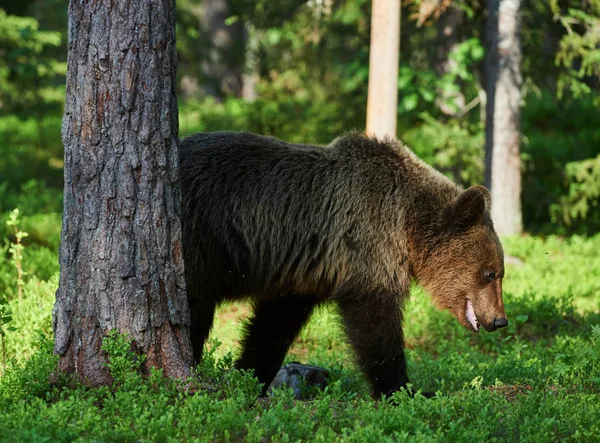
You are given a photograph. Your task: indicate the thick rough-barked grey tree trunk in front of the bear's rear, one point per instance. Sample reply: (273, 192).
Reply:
(120, 258)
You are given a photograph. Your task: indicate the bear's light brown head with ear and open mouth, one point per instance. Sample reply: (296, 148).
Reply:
(464, 270)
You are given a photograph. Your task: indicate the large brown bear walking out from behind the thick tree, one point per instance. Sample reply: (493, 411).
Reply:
(292, 226)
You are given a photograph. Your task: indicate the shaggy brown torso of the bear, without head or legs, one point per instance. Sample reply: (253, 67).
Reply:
(304, 218)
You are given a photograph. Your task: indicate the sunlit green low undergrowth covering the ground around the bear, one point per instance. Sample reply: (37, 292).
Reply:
(537, 380)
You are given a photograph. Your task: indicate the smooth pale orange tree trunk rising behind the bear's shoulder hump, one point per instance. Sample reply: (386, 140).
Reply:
(382, 101)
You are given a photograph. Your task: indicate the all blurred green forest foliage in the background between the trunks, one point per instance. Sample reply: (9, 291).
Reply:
(310, 62)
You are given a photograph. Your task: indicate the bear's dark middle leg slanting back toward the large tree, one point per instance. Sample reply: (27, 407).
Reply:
(270, 332)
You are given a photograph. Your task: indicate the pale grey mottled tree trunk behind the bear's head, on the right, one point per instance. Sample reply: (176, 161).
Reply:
(502, 127)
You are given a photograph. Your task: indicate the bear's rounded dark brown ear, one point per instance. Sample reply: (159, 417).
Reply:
(469, 207)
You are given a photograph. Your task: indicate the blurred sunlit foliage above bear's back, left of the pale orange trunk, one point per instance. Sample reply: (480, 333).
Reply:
(299, 96)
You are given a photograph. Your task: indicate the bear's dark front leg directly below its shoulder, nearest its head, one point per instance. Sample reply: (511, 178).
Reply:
(373, 324)
